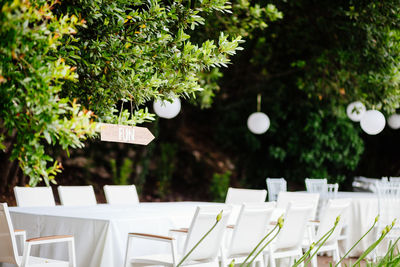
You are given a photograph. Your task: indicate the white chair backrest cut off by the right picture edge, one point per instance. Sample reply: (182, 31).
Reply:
(388, 201)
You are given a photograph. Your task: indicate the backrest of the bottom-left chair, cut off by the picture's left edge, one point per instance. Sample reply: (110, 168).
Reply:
(8, 246)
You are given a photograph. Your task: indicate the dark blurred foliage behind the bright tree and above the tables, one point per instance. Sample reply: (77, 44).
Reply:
(307, 66)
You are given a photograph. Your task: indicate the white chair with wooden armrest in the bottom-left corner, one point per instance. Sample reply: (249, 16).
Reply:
(9, 251)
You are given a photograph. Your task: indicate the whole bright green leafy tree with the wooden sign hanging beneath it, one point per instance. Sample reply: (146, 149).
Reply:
(99, 53)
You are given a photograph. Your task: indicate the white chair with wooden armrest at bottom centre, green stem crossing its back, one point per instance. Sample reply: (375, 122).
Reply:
(206, 252)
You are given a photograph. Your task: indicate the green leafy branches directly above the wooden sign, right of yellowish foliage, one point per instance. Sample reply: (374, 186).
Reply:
(136, 51)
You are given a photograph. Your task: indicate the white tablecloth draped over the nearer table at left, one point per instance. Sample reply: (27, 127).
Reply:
(101, 231)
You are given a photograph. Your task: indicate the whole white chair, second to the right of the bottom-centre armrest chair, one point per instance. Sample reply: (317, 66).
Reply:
(288, 243)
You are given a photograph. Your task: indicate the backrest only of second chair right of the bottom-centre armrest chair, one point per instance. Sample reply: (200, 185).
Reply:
(294, 226)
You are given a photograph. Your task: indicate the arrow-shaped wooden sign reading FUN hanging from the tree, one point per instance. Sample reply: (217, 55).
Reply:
(125, 134)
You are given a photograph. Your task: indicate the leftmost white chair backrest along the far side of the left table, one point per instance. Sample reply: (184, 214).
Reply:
(34, 196)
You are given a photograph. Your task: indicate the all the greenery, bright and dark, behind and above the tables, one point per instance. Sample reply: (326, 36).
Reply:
(66, 65)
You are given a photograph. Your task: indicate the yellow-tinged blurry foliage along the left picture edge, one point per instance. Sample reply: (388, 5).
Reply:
(31, 77)
